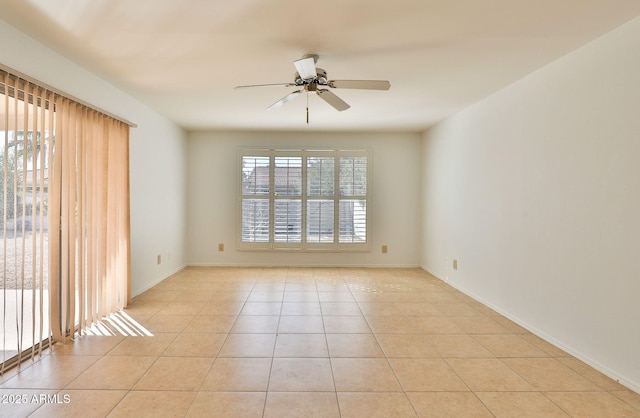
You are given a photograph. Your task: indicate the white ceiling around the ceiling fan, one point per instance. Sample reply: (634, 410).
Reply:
(183, 57)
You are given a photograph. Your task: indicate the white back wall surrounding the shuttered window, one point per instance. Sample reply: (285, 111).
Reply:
(395, 205)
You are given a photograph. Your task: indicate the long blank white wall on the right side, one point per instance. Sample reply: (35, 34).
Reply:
(536, 192)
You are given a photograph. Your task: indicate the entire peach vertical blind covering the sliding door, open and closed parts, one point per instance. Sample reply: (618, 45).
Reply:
(64, 197)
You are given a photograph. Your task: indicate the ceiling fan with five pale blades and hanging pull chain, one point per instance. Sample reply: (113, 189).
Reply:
(312, 79)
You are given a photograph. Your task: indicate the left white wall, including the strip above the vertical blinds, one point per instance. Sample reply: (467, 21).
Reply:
(157, 156)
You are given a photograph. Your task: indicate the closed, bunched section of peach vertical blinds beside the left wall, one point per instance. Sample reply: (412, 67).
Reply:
(88, 218)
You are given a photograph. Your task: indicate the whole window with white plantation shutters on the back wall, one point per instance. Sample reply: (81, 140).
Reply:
(304, 200)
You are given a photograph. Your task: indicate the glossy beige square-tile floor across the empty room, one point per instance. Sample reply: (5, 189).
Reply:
(289, 342)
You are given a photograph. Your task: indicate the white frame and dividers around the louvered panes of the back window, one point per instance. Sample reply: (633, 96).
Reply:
(303, 245)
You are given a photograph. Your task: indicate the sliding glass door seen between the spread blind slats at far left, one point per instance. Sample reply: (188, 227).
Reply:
(25, 135)
